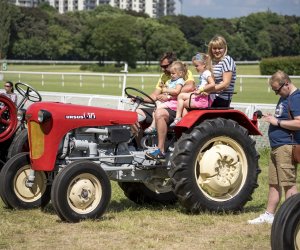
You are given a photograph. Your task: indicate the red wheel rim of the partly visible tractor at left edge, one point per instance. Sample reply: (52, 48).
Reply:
(8, 118)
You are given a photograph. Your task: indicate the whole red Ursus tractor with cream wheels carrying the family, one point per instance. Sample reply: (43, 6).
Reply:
(75, 151)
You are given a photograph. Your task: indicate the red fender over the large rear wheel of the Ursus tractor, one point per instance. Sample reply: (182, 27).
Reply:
(195, 117)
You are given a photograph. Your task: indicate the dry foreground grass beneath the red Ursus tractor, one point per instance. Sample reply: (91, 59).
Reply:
(126, 225)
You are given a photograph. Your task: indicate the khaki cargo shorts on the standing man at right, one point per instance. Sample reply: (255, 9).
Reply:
(282, 172)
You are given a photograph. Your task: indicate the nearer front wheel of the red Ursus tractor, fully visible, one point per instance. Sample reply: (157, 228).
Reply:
(81, 191)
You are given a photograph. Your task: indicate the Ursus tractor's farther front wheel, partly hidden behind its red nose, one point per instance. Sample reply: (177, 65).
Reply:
(13, 184)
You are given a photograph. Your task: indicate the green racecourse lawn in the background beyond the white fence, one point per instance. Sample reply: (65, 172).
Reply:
(249, 90)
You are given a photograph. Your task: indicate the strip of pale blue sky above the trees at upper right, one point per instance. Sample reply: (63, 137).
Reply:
(236, 8)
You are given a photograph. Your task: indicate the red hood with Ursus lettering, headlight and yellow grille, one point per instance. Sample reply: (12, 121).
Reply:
(49, 122)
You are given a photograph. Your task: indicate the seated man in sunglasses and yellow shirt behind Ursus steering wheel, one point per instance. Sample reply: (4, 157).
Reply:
(164, 117)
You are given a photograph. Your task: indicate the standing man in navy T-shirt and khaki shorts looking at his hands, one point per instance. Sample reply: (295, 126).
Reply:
(284, 131)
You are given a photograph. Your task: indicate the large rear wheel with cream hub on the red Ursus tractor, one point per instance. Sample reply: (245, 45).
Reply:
(215, 167)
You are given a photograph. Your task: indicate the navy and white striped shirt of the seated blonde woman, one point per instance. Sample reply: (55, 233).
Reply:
(225, 65)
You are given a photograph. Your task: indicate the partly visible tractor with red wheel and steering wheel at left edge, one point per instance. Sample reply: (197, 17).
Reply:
(13, 132)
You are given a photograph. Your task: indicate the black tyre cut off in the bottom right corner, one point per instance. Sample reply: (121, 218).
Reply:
(285, 233)
